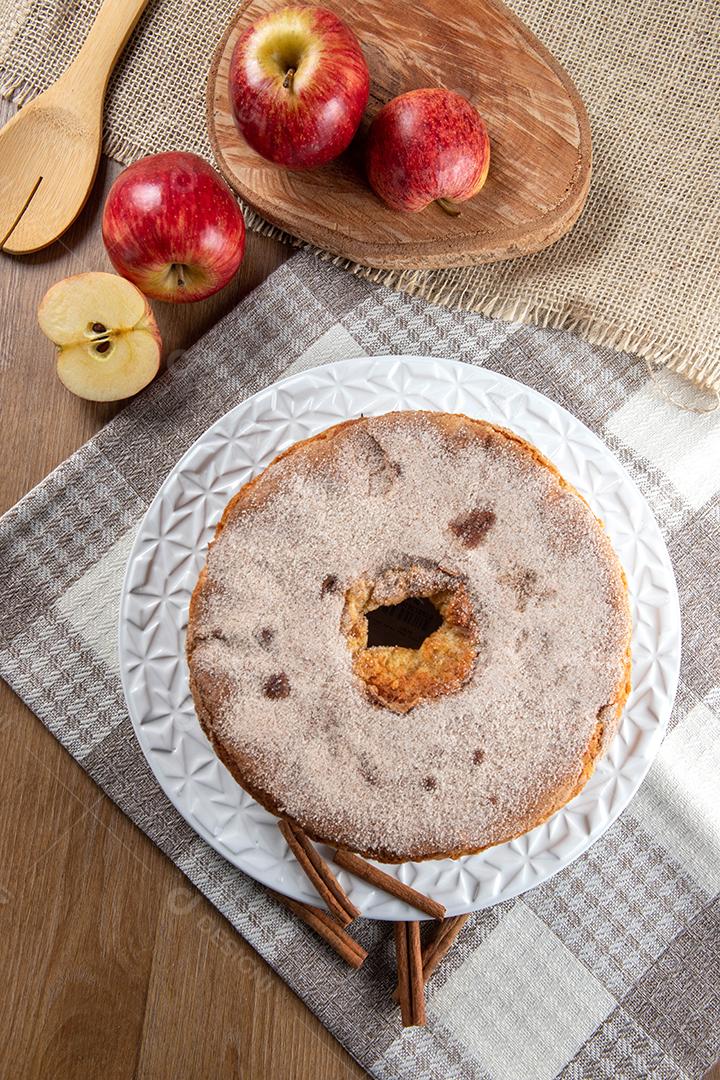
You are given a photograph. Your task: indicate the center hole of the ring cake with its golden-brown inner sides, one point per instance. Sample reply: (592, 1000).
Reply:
(413, 634)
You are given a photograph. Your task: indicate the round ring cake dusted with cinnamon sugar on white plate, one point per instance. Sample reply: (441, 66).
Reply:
(412, 637)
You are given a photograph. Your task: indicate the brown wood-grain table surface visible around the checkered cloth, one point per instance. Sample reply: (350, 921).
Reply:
(114, 965)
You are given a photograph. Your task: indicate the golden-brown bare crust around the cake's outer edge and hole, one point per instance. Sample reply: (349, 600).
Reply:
(212, 691)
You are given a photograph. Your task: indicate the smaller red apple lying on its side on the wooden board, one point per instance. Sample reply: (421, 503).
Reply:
(428, 146)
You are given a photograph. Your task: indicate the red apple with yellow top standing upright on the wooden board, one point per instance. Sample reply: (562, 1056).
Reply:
(298, 85)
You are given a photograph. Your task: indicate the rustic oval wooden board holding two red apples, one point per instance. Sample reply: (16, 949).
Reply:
(540, 159)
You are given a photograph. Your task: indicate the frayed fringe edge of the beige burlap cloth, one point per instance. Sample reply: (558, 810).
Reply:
(689, 364)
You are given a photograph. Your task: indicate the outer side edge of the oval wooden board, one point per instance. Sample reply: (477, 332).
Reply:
(432, 254)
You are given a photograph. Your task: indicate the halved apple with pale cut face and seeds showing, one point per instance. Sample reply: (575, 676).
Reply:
(108, 342)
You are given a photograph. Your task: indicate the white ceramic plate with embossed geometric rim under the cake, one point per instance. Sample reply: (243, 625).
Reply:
(170, 551)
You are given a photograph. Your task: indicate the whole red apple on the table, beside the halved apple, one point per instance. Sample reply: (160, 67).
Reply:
(173, 227)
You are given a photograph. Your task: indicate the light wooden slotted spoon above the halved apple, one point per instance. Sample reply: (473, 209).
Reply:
(51, 150)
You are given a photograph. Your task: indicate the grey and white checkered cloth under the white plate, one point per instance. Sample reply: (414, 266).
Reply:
(613, 968)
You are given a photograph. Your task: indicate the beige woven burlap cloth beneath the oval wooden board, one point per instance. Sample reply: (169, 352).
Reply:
(642, 269)
